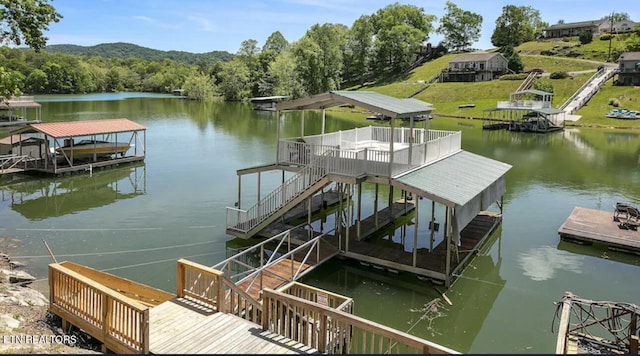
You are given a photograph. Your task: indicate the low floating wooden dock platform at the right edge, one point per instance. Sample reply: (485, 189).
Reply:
(589, 225)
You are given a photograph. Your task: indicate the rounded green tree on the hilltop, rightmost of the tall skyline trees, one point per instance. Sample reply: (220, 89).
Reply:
(516, 24)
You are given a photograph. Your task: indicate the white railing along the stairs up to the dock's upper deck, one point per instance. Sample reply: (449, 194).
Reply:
(268, 205)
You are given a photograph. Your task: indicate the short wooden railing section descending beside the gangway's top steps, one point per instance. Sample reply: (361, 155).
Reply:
(211, 287)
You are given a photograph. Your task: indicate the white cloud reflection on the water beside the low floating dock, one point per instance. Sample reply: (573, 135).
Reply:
(541, 263)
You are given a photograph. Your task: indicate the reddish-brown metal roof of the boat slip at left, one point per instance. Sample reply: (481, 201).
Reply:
(82, 128)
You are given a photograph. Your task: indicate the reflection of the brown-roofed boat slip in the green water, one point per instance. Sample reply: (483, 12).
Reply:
(51, 197)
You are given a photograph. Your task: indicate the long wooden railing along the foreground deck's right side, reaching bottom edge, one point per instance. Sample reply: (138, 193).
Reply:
(333, 331)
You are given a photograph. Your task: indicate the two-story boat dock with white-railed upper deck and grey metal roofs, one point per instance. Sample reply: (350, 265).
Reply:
(427, 166)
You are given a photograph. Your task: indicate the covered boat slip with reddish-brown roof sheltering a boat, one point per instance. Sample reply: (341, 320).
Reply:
(82, 145)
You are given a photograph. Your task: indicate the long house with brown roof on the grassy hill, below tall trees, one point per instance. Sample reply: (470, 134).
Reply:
(475, 67)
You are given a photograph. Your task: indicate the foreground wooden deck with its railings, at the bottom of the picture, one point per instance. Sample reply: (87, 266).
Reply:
(210, 314)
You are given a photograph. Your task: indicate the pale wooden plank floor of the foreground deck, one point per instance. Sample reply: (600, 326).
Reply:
(181, 326)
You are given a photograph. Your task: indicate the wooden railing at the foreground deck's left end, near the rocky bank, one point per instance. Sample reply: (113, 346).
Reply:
(119, 322)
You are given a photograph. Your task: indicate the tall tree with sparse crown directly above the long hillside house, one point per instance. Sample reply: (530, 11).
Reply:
(460, 28)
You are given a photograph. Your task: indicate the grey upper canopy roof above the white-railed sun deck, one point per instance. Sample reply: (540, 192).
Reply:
(376, 102)
